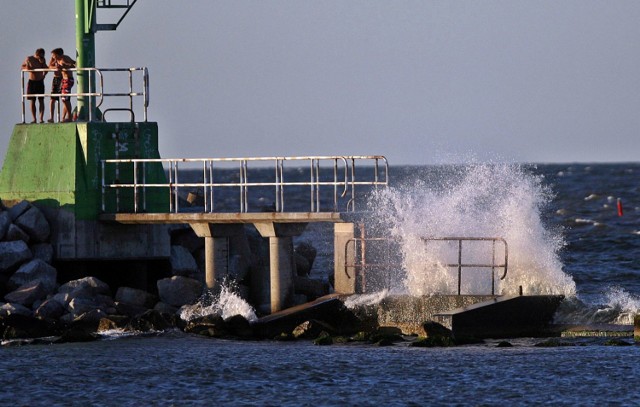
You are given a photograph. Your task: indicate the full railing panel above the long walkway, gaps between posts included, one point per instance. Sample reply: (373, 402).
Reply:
(330, 181)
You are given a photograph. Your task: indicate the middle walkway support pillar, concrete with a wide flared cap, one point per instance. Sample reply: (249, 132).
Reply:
(281, 264)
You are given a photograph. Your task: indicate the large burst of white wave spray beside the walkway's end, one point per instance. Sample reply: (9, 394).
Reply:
(480, 200)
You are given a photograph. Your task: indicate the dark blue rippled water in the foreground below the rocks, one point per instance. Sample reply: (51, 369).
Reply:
(199, 371)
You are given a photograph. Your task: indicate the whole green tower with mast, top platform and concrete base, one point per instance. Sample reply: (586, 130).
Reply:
(58, 167)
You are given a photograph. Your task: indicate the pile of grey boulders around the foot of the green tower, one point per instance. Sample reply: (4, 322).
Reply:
(37, 305)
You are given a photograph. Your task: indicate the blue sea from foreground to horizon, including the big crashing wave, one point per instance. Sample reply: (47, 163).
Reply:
(573, 229)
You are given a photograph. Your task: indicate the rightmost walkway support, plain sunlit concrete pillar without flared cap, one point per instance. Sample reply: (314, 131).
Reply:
(344, 278)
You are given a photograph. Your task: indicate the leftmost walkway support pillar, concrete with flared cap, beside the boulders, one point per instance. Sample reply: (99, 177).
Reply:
(216, 245)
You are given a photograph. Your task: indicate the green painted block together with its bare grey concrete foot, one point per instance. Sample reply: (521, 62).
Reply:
(58, 167)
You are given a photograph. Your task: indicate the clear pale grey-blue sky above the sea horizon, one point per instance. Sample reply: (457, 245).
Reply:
(420, 82)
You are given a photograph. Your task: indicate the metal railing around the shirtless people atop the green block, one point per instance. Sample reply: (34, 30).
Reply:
(94, 98)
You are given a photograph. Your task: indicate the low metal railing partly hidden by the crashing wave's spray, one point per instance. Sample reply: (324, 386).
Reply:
(360, 264)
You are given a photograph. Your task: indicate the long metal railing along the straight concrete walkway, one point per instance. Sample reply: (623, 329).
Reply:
(342, 183)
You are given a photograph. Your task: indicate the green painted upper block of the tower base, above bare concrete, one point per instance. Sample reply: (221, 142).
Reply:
(59, 166)
